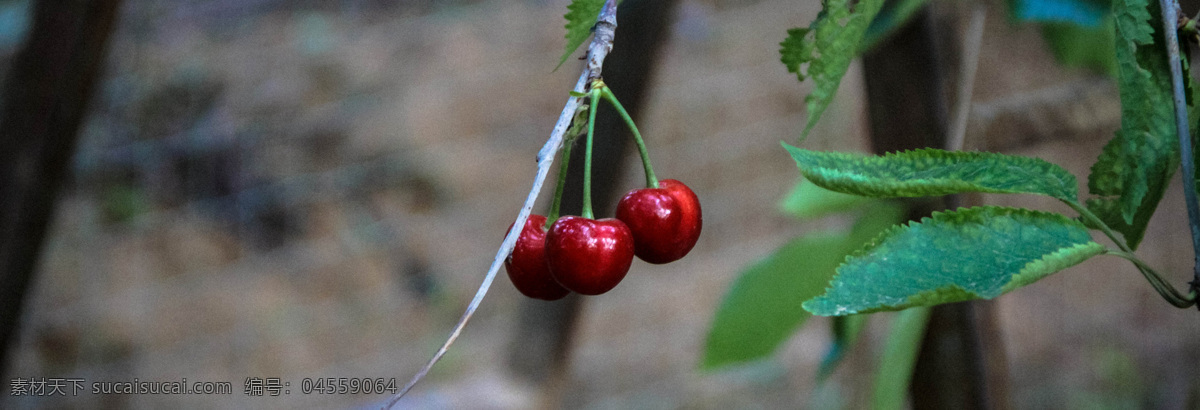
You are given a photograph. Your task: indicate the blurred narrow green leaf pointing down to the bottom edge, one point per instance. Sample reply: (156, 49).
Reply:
(899, 359)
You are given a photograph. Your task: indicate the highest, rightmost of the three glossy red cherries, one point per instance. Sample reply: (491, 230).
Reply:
(665, 221)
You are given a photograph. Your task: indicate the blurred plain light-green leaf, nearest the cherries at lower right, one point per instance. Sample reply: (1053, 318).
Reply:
(763, 307)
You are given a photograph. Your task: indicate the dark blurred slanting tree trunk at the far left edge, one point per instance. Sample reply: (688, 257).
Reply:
(45, 100)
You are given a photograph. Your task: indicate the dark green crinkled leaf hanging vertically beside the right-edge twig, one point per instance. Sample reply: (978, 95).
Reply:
(1139, 161)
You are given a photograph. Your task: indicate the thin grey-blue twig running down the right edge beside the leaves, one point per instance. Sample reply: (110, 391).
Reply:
(1171, 25)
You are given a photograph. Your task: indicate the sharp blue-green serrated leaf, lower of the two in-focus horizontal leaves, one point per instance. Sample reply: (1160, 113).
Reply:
(951, 257)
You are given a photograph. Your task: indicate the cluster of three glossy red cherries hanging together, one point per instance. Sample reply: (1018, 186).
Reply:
(591, 257)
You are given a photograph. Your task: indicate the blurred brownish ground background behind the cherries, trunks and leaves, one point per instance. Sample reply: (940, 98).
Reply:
(316, 189)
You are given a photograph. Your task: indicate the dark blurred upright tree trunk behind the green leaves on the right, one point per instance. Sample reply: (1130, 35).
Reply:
(961, 365)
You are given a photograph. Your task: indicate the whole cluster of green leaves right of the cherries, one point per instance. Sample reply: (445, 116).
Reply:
(968, 254)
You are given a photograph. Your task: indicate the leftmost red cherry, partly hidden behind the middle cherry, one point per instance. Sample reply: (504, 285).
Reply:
(527, 266)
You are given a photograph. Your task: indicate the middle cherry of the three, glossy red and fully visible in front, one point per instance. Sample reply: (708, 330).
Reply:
(590, 257)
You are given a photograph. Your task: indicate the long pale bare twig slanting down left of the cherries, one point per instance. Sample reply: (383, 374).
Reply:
(599, 49)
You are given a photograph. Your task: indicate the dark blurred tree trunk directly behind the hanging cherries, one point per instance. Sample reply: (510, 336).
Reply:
(541, 351)
